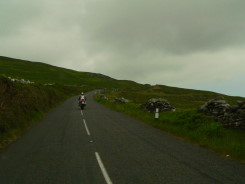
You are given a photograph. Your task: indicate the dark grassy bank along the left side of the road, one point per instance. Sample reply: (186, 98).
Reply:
(22, 105)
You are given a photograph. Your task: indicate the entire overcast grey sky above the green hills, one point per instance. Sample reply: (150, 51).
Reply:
(198, 44)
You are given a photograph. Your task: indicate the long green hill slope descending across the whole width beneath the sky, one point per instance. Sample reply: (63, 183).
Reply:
(44, 73)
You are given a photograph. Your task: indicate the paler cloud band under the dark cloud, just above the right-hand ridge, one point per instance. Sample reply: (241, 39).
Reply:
(188, 71)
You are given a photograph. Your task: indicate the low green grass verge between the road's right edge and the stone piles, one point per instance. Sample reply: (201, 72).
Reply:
(191, 126)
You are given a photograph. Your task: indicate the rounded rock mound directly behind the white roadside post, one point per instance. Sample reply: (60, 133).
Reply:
(161, 104)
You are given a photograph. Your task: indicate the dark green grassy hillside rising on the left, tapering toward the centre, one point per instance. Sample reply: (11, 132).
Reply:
(44, 73)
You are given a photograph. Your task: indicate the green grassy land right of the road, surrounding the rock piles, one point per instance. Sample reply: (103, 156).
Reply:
(185, 122)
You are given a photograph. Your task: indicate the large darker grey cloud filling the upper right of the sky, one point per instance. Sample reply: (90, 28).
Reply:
(174, 26)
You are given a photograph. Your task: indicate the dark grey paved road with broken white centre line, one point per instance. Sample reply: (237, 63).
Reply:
(100, 146)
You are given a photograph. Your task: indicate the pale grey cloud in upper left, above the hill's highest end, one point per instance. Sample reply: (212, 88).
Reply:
(45, 31)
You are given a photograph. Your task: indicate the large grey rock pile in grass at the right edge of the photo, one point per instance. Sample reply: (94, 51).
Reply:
(230, 116)
